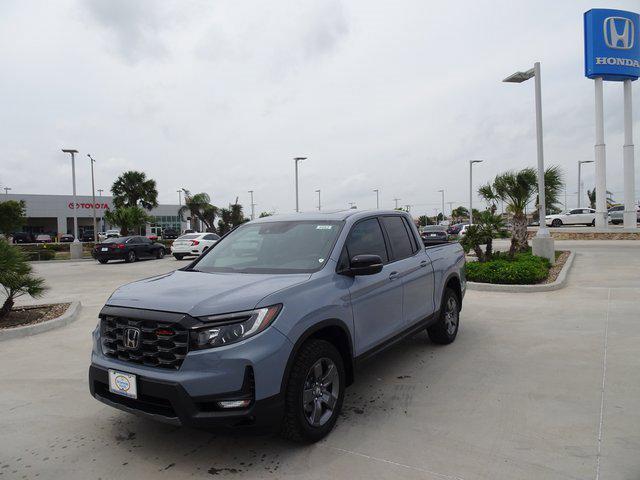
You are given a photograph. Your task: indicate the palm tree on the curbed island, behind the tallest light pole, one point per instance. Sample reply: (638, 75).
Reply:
(517, 189)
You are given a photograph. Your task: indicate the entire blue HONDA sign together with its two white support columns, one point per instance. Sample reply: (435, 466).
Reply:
(612, 53)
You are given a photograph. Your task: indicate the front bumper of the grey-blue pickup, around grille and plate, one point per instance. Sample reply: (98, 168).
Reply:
(252, 369)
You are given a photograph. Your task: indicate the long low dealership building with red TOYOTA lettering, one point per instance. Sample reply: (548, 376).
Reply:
(53, 214)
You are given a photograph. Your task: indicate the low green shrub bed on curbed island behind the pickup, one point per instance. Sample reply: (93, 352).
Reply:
(523, 269)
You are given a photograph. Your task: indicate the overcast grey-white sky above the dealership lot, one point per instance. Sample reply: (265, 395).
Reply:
(219, 96)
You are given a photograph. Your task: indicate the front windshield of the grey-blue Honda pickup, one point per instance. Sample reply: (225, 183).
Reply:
(273, 247)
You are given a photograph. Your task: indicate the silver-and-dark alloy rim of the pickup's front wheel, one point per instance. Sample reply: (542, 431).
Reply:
(320, 392)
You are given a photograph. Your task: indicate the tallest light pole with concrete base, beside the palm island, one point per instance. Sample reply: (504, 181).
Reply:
(543, 245)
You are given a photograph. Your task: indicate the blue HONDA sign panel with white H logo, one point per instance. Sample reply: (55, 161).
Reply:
(611, 44)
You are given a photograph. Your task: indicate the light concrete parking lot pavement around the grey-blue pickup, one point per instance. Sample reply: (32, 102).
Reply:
(540, 385)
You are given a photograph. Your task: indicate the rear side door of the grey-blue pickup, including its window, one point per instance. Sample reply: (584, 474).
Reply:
(413, 268)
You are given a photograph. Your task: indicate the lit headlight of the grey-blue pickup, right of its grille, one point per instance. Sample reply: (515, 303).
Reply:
(231, 328)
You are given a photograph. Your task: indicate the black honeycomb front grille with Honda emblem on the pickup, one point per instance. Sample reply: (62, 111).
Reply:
(159, 344)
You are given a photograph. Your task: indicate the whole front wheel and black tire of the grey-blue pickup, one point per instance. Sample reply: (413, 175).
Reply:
(310, 422)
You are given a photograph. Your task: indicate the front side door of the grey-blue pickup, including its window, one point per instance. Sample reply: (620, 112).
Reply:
(376, 300)
